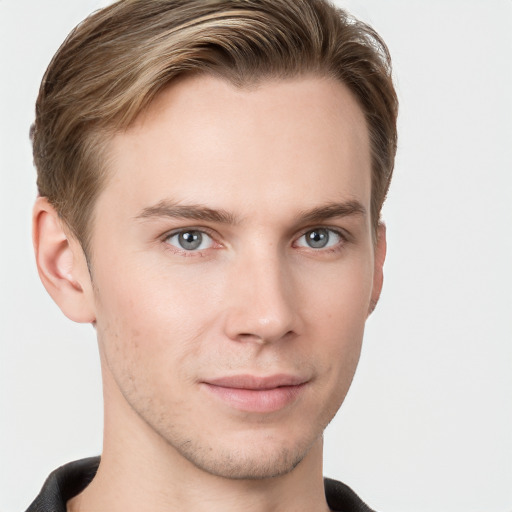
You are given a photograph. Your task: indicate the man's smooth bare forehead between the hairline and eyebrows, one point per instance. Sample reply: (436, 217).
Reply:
(204, 140)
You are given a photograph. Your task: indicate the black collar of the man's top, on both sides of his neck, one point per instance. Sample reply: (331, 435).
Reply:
(71, 479)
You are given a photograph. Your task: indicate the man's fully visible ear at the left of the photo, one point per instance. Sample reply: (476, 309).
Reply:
(61, 264)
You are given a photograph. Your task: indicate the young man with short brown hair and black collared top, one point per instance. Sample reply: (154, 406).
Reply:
(211, 175)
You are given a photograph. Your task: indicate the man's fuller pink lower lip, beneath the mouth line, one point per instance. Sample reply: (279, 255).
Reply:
(256, 400)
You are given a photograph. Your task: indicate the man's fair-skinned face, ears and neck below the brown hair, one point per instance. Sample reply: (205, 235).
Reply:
(232, 272)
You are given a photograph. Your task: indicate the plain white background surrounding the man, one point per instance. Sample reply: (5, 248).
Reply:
(427, 426)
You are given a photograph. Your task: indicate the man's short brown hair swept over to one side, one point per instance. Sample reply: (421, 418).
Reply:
(114, 63)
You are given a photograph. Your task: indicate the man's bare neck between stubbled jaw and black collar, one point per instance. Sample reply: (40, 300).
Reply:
(139, 470)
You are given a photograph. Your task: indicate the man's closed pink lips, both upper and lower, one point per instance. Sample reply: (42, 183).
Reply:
(251, 393)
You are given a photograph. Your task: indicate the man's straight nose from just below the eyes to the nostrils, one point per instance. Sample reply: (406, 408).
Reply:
(261, 301)
